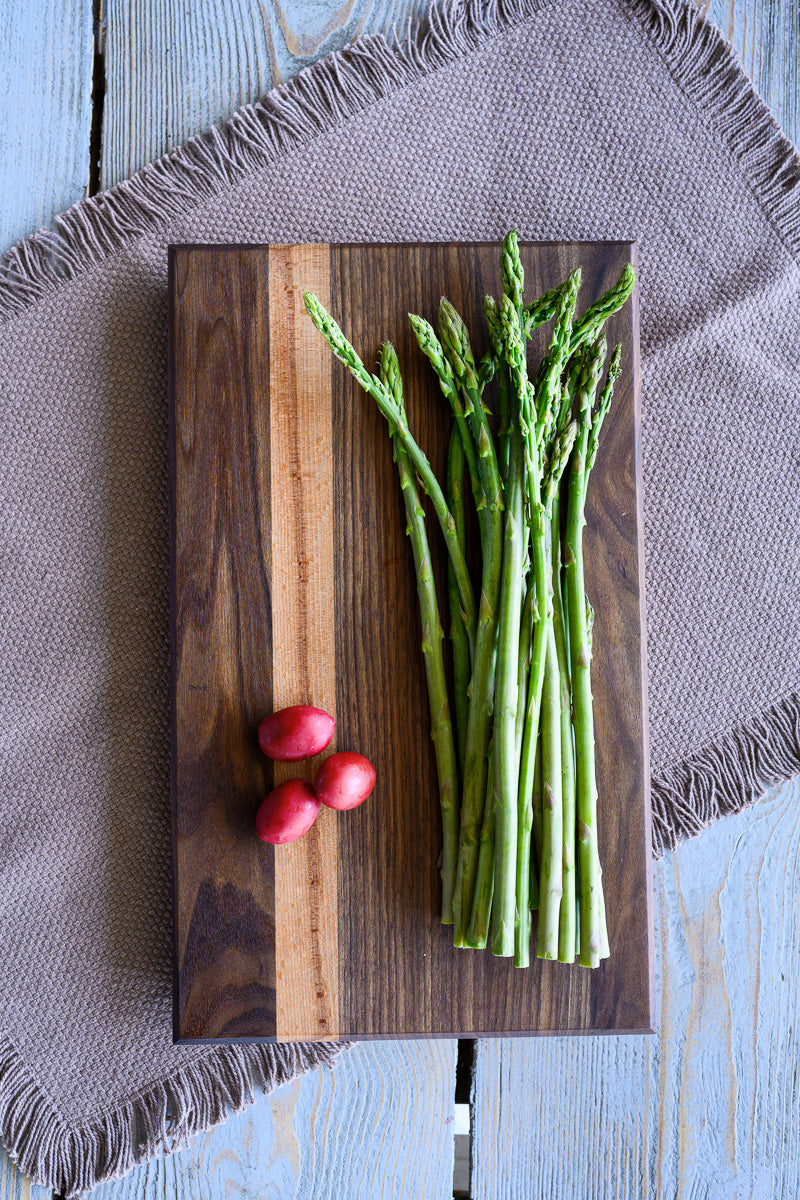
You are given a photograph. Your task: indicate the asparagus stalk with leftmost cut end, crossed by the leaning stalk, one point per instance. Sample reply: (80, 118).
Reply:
(432, 638)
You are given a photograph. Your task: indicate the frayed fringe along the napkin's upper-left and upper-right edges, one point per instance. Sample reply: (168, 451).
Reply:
(350, 81)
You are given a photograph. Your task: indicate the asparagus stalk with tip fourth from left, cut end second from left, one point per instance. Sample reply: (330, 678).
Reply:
(455, 341)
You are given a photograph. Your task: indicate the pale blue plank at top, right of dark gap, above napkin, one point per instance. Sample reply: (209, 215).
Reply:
(176, 69)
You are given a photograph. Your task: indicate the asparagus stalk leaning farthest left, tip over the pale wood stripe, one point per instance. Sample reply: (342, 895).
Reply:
(399, 427)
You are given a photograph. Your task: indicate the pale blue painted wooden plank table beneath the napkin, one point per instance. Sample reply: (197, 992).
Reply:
(712, 1107)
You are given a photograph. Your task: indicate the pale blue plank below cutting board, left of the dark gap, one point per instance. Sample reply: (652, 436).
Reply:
(377, 1127)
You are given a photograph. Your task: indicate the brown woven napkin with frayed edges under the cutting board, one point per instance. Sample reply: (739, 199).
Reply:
(579, 119)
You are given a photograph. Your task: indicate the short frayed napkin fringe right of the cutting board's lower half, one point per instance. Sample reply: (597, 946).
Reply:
(727, 776)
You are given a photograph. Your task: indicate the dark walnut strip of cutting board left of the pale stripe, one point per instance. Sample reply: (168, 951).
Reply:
(222, 670)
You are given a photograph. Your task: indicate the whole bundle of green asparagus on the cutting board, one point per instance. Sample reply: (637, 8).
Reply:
(514, 730)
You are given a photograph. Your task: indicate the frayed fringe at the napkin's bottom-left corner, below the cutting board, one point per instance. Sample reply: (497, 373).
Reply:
(76, 1159)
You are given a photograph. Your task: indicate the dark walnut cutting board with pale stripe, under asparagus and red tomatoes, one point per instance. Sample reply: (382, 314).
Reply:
(293, 583)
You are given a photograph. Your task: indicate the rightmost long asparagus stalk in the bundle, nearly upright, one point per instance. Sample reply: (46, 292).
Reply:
(581, 656)
